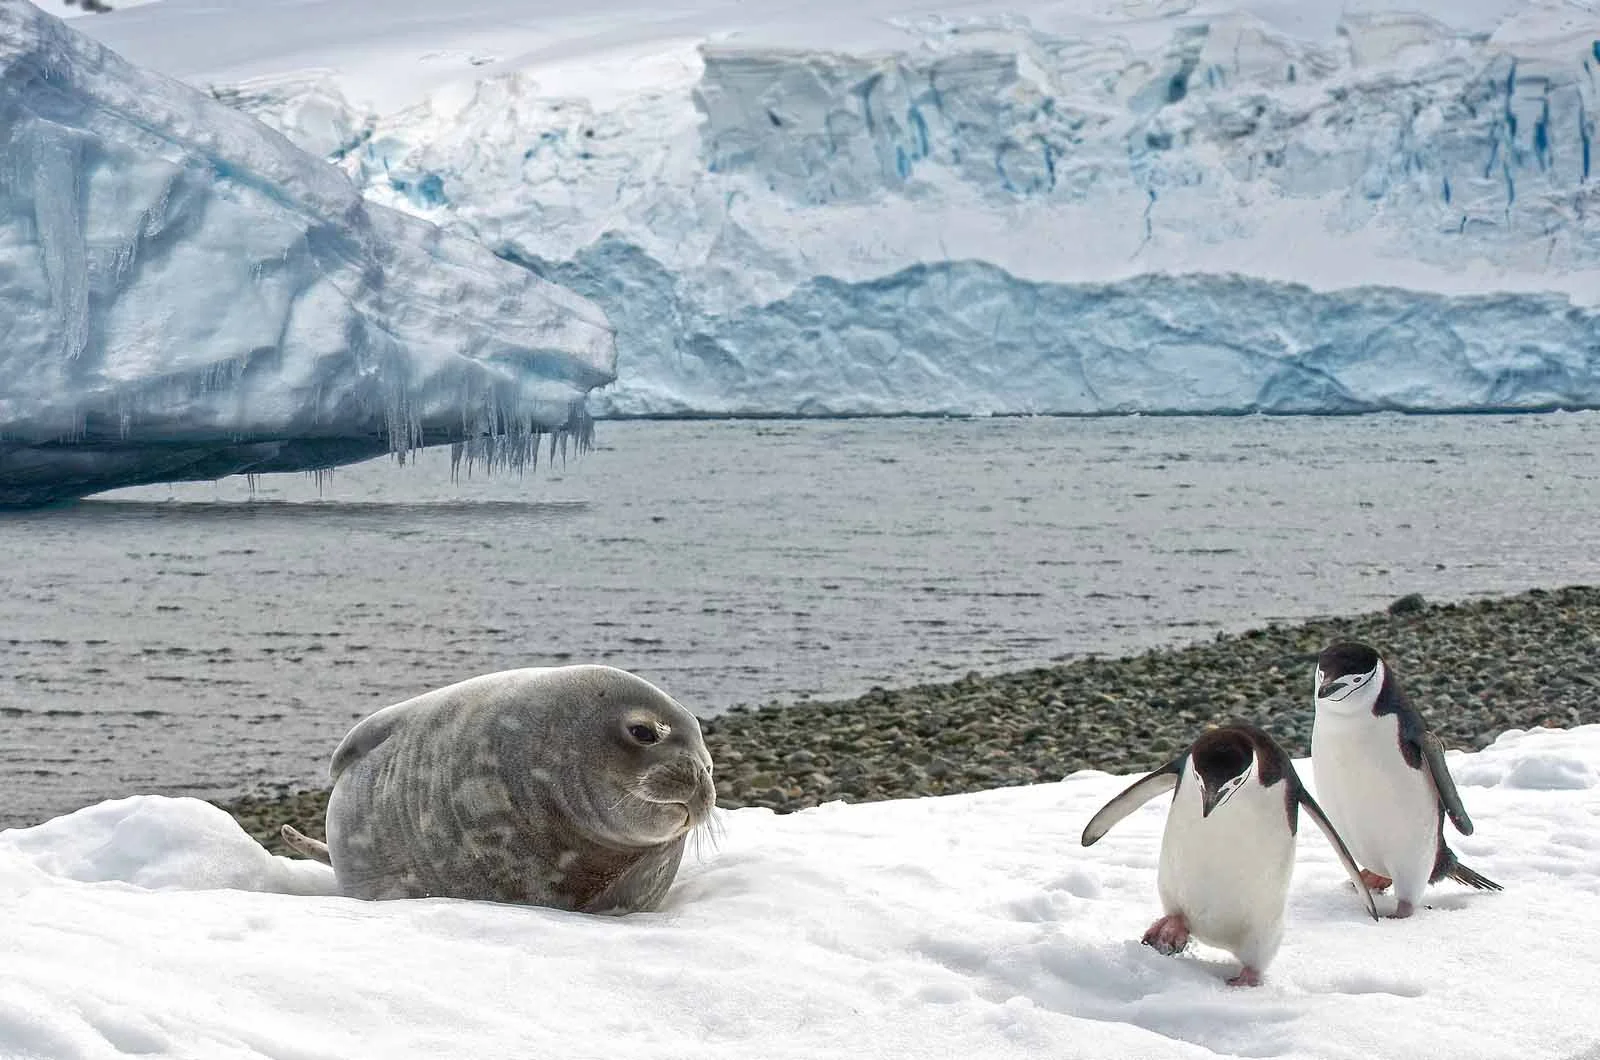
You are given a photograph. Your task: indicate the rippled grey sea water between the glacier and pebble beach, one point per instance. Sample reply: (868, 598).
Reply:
(209, 640)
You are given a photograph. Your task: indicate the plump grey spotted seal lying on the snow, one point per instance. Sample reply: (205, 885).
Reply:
(566, 787)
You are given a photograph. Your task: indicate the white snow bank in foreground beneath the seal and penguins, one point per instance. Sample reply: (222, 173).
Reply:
(956, 926)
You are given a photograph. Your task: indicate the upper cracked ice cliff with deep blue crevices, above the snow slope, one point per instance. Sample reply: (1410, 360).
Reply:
(1481, 150)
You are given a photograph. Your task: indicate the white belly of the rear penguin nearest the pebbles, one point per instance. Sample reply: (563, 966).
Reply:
(1385, 809)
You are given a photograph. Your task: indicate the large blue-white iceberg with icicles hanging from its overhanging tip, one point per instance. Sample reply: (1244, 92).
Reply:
(185, 295)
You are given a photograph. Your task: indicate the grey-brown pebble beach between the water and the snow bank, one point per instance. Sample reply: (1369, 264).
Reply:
(1474, 669)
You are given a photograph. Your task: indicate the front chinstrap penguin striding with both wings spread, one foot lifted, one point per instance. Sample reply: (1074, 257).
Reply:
(1228, 851)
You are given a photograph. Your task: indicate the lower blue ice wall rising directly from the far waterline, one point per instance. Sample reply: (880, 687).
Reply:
(967, 337)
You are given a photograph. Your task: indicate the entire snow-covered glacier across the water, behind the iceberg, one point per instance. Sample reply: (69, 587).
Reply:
(991, 207)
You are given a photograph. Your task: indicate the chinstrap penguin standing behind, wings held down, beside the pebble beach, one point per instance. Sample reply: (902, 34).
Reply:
(1383, 777)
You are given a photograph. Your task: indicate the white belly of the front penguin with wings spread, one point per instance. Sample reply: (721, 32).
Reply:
(1230, 873)
